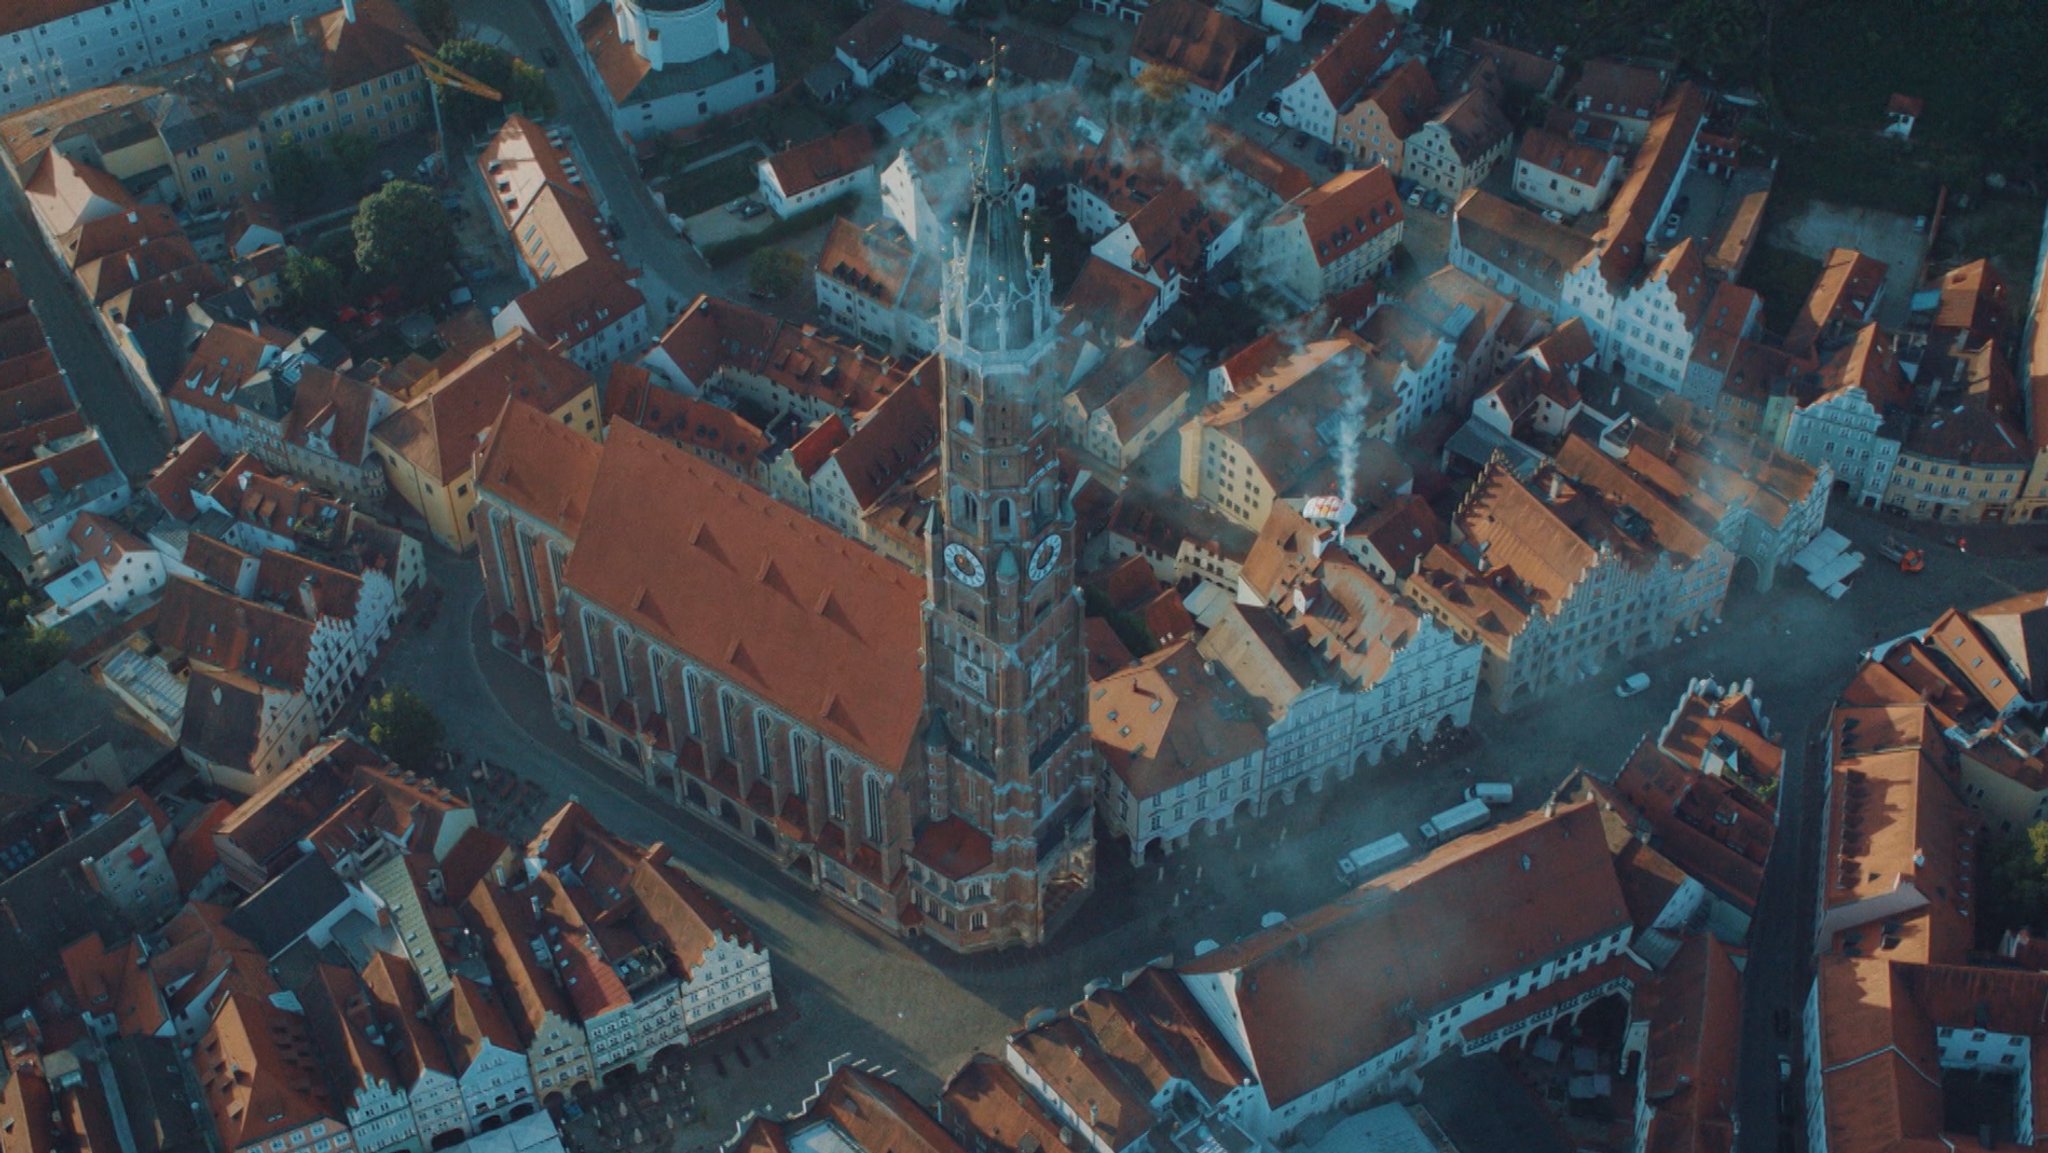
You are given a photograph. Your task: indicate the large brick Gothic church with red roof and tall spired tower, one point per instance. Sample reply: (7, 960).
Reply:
(916, 749)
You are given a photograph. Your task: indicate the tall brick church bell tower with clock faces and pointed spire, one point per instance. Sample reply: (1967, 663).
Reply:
(1007, 679)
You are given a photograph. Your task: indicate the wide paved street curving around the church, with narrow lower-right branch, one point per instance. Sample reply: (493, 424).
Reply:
(923, 1015)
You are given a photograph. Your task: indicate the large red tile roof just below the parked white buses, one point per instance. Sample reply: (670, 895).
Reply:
(1328, 990)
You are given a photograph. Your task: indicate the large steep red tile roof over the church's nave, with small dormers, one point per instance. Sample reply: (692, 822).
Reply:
(767, 597)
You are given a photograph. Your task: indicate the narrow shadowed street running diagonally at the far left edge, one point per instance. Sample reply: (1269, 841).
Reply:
(110, 400)
